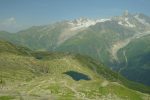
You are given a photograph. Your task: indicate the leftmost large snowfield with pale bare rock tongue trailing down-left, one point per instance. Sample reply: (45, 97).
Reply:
(77, 25)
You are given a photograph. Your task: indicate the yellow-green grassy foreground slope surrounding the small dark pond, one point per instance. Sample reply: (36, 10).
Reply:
(40, 76)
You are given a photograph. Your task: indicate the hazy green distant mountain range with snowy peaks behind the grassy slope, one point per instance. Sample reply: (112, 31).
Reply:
(121, 42)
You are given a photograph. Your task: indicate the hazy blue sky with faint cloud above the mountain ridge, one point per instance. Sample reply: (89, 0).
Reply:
(19, 14)
